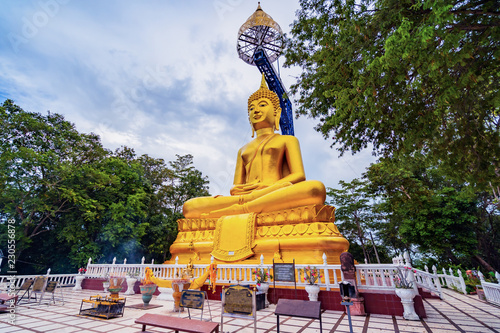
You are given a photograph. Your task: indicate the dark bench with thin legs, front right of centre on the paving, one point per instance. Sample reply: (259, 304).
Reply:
(298, 308)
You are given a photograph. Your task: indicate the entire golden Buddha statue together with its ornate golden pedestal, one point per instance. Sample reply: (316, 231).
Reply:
(272, 210)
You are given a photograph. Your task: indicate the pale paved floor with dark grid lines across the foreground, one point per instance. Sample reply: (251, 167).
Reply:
(457, 313)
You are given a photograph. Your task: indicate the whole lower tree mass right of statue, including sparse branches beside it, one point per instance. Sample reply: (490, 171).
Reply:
(412, 206)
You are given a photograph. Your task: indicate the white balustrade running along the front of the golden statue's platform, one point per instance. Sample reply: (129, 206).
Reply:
(369, 277)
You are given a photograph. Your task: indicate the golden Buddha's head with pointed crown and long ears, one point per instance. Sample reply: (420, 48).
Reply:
(264, 108)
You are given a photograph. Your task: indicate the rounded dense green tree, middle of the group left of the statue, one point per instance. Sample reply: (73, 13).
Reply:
(108, 219)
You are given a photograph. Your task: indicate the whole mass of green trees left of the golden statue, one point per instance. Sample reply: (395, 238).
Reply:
(73, 199)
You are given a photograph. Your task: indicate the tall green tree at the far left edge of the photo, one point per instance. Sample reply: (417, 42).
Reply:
(37, 156)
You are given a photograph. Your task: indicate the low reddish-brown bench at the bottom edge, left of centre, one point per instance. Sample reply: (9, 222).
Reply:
(177, 324)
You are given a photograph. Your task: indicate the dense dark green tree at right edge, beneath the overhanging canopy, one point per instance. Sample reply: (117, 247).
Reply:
(423, 207)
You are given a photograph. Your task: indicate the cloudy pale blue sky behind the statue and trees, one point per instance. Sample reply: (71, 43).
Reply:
(162, 77)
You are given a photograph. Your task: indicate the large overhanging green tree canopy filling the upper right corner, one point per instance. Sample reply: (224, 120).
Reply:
(405, 76)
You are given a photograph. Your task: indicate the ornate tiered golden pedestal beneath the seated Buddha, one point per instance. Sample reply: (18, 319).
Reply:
(302, 233)
